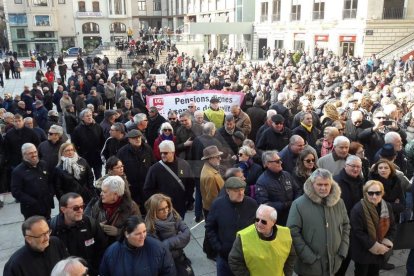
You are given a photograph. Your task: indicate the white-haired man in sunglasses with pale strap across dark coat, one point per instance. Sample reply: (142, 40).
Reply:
(171, 176)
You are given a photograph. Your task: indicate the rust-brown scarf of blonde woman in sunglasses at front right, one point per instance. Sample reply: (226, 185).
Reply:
(377, 225)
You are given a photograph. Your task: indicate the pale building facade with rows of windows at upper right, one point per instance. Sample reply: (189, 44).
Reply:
(346, 27)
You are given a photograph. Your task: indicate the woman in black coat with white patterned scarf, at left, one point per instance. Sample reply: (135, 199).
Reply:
(73, 174)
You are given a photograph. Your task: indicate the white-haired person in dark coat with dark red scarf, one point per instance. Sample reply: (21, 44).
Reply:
(114, 207)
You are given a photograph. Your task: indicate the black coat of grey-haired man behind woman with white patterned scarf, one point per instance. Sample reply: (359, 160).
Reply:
(89, 141)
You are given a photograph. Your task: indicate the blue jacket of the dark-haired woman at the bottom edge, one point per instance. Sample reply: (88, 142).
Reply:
(152, 259)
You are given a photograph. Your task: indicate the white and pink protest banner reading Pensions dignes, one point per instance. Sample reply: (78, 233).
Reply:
(179, 101)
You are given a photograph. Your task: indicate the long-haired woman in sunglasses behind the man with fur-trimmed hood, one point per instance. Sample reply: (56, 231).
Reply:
(305, 166)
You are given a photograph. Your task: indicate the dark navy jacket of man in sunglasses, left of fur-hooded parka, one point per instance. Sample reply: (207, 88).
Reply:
(278, 190)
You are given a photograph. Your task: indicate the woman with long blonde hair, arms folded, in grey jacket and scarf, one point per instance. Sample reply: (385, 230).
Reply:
(164, 223)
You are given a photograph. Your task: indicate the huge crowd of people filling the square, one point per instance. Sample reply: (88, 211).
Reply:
(312, 170)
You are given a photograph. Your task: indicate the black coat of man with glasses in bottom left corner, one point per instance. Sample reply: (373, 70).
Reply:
(26, 261)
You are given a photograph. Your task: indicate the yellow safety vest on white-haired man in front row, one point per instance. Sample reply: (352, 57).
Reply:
(265, 257)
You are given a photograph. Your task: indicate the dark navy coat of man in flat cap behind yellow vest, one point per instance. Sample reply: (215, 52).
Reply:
(225, 219)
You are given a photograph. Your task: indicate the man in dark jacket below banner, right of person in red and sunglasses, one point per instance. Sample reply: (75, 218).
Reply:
(185, 135)
